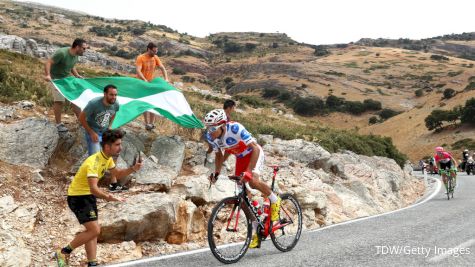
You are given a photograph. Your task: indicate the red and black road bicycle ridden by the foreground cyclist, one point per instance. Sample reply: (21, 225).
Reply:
(230, 224)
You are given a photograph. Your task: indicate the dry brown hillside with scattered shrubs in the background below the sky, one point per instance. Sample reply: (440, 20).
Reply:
(249, 66)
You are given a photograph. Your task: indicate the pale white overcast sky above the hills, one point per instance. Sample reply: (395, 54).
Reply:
(310, 21)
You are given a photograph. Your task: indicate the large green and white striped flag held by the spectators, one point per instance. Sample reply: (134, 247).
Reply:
(135, 96)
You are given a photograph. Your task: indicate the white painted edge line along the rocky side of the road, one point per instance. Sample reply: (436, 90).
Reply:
(151, 259)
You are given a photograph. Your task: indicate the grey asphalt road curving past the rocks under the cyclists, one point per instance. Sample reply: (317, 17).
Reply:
(434, 232)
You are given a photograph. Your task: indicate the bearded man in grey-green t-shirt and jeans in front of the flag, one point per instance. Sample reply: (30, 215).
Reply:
(96, 118)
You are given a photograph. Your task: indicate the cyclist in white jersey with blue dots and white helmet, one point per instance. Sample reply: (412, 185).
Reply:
(234, 139)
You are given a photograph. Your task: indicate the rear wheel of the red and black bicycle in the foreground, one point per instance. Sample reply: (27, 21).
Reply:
(290, 214)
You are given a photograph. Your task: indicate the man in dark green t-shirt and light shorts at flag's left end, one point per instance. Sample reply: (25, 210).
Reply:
(59, 66)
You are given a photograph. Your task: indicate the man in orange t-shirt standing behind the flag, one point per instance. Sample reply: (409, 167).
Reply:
(146, 64)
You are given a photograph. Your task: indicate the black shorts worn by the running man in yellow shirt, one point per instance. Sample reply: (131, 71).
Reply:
(84, 207)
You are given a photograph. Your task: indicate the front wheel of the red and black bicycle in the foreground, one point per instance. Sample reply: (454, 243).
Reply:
(229, 230)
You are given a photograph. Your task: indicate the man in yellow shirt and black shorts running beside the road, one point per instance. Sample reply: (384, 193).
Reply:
(83, 191)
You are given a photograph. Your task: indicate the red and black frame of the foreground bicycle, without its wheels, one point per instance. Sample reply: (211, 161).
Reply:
(263, 225)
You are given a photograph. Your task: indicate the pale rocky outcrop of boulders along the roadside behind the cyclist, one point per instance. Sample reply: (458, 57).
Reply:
(169, 198)
